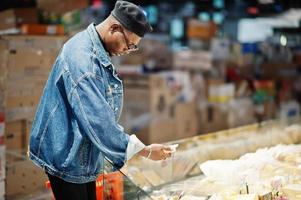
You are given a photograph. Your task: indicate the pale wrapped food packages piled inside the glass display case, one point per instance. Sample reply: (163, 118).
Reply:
(264, 158)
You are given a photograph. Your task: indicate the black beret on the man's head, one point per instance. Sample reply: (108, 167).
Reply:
(131, 17)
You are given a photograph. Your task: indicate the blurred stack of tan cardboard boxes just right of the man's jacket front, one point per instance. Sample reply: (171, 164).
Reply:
(153, 111)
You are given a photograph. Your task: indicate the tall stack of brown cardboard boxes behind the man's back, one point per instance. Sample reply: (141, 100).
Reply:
(26, 64)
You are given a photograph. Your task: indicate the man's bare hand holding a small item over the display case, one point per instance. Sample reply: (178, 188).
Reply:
(156, 152)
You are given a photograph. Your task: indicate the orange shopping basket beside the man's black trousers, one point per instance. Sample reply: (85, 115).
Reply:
(108, 186)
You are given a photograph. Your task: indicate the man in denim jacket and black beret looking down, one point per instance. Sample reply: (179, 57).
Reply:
(75, 125)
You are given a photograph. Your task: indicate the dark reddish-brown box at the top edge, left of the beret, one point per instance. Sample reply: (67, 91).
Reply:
(60, 7)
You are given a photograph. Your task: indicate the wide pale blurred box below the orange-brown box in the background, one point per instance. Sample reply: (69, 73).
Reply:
(188, 59)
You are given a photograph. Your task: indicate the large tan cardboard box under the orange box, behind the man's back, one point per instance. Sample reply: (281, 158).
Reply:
(18, 63)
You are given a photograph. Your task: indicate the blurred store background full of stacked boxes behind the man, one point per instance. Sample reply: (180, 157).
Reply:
(209, 65)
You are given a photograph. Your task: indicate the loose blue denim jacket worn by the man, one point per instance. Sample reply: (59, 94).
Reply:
(76, 122)
